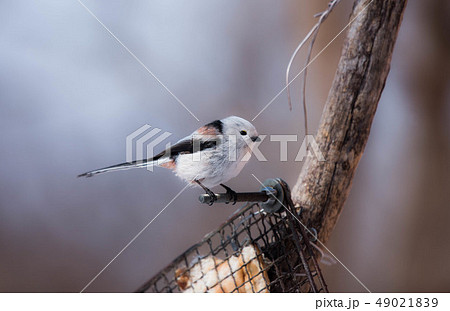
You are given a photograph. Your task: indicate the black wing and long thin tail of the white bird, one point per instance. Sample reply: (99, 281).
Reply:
(186, 145)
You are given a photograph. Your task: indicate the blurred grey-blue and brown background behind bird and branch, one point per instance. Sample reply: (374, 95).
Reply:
(70, 94)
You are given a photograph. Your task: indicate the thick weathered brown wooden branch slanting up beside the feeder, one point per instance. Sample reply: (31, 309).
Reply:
(323, 187)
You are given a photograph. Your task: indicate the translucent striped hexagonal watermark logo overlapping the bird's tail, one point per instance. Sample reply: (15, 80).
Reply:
(141, 143)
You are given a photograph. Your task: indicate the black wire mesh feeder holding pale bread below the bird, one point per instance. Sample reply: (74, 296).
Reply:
(253, 252)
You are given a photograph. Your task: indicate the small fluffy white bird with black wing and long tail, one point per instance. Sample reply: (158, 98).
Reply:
(210, 156)
